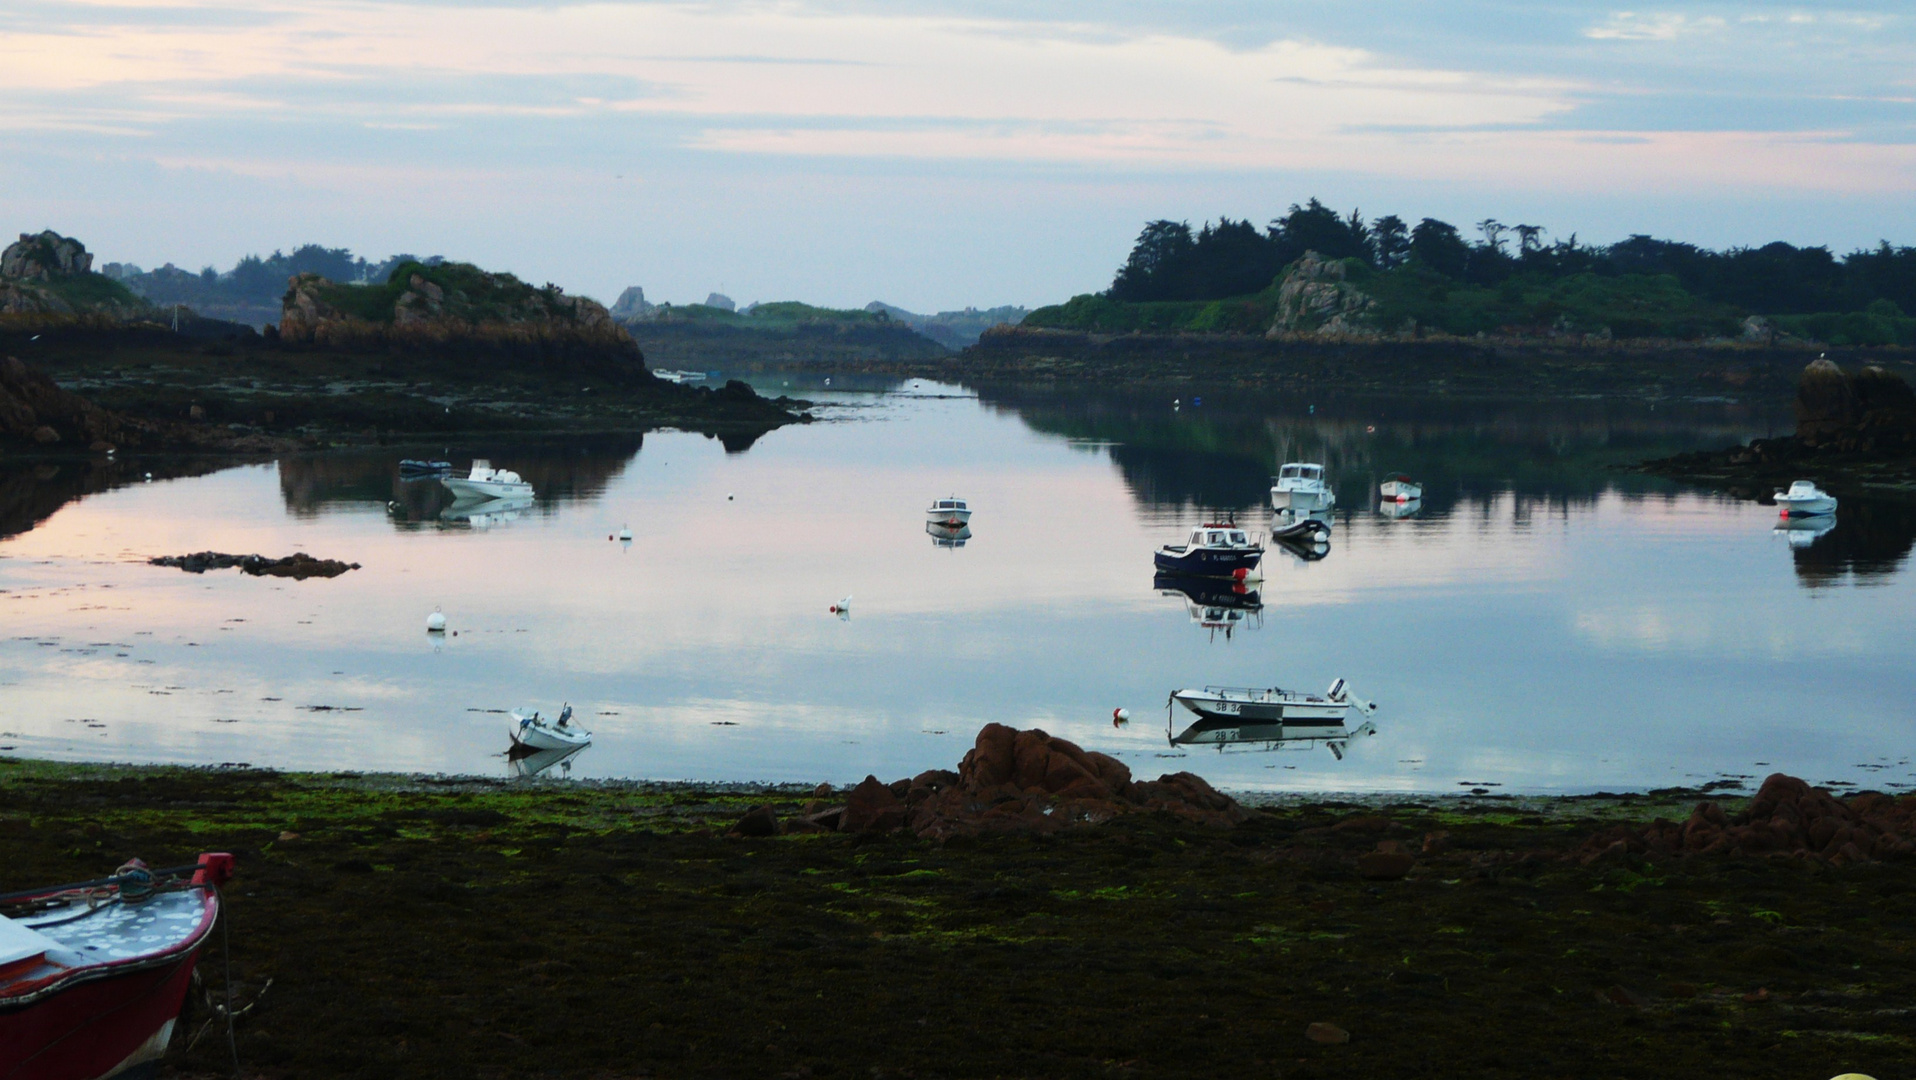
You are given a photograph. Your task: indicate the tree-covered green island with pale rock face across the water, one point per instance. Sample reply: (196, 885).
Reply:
(1325, 277)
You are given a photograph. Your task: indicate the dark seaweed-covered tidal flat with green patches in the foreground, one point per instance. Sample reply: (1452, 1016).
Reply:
(426, 926)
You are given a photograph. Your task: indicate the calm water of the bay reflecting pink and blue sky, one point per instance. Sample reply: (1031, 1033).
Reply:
(1543, 623)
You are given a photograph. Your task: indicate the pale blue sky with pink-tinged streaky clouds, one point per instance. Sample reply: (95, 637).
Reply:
(924, 152)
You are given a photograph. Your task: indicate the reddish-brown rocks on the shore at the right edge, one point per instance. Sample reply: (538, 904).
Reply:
(1789, 819)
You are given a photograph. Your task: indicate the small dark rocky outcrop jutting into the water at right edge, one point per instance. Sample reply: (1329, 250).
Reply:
(1856, 434)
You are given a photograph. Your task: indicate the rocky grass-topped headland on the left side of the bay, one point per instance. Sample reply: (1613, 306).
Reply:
(436, 349)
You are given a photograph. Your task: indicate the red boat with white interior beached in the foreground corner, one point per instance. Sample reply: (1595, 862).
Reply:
(93, 976)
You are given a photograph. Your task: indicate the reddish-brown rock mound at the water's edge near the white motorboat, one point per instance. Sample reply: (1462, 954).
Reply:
(1011, 782)
